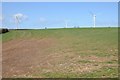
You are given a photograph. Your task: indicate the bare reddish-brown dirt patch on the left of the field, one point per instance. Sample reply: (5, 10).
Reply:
(19, 55)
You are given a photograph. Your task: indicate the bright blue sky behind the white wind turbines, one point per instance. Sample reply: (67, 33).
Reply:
(54, 14)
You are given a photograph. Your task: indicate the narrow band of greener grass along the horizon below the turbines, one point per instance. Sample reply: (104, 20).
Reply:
(87, 34)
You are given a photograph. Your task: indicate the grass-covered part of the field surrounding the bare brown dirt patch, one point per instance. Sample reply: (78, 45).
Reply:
(93, 45)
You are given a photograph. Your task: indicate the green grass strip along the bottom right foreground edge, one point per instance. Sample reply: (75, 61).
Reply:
(102, 73)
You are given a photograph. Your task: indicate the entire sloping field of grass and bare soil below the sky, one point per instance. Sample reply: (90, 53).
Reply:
(61, 53)
